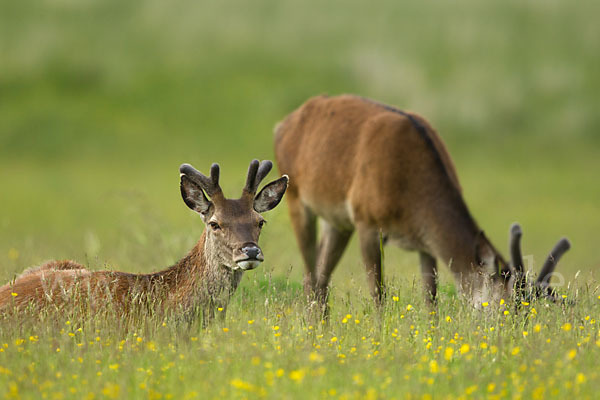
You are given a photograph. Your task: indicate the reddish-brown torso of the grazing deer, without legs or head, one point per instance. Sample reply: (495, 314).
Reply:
(372, 164)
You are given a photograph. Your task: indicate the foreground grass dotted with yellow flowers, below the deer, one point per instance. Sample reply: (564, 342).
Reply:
(268, 347)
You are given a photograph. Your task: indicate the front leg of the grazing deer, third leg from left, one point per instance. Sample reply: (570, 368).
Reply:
(370, 247)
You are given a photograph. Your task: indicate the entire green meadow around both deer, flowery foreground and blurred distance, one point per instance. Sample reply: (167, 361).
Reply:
(101, 101)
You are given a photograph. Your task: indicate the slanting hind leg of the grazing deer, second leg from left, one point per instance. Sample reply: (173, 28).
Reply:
(332, 246)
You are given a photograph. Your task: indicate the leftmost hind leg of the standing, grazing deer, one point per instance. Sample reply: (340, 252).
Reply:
(304, 222)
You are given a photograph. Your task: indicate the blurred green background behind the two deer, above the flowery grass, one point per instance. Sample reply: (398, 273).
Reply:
(100, 101)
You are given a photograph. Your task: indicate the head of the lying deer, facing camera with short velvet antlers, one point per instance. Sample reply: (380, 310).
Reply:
(233, 225)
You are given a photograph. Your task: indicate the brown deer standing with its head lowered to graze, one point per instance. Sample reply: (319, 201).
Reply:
(361, 165)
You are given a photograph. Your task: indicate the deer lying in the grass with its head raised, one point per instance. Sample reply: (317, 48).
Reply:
(202, 280)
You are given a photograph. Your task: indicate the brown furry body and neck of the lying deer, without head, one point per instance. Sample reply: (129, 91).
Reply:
(188, 284)
